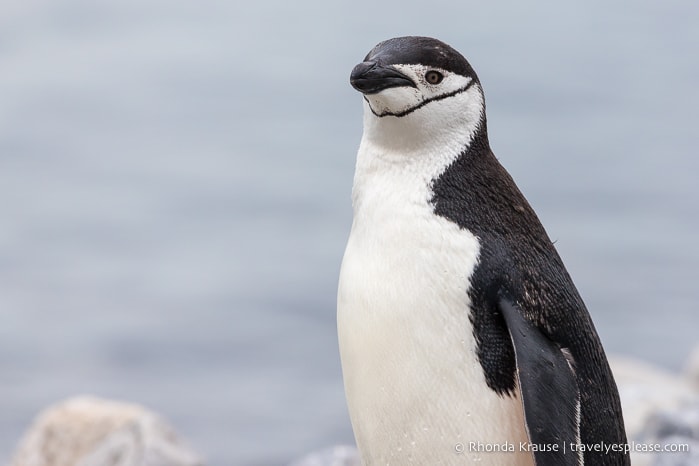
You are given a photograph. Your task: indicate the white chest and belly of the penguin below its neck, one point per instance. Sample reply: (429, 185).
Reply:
(416, 391)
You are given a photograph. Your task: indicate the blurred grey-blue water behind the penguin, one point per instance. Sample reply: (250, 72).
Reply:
(175, 179)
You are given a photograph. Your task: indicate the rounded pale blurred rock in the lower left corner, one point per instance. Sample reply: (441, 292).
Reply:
(88, 431)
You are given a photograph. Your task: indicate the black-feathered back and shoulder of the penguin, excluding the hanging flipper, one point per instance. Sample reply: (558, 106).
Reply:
(519, 260)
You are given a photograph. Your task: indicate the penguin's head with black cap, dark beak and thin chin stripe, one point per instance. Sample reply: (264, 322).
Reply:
(418, 76)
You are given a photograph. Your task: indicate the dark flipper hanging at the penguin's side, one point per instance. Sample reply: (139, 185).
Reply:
(549, 390)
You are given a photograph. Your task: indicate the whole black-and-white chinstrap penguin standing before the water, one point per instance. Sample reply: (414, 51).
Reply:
(461, 333)
